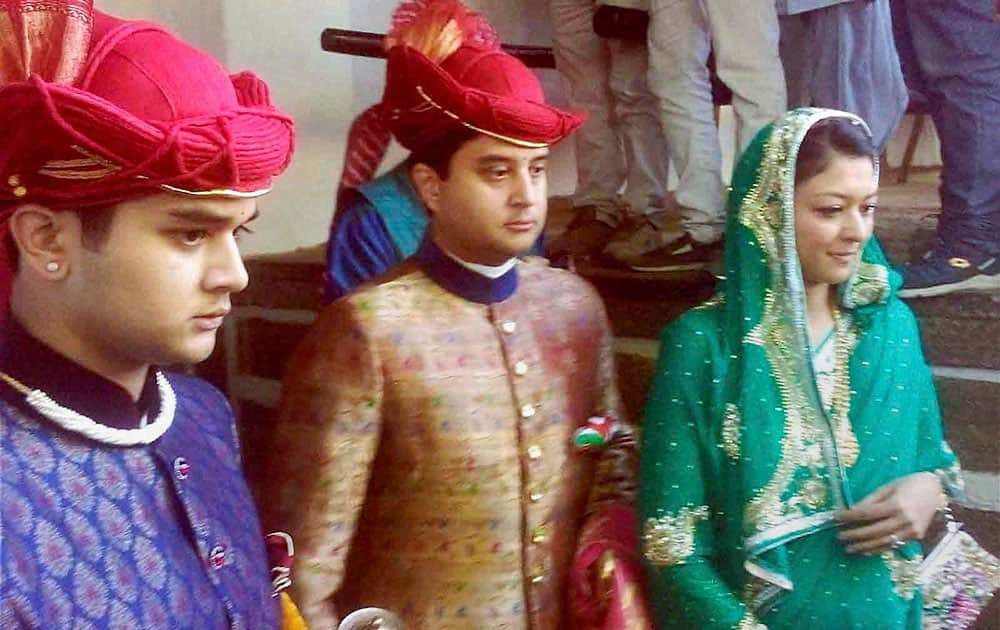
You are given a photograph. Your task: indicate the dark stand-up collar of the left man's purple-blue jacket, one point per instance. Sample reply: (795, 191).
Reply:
(38, 366)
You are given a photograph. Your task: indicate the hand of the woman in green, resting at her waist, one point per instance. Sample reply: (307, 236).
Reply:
(895, 513)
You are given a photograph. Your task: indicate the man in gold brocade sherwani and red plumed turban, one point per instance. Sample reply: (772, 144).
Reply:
(429, 459)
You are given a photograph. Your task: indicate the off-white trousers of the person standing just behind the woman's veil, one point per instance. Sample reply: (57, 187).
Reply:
(744, 36)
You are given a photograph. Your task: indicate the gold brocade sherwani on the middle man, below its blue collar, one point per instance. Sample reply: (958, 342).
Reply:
(426, 455)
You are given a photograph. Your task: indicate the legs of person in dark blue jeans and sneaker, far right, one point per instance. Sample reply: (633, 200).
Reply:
(950, 52)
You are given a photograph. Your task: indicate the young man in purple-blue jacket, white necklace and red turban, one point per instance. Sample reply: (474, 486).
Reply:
(129, 164)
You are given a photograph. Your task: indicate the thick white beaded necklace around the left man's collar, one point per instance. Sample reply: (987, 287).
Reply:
(81, 424)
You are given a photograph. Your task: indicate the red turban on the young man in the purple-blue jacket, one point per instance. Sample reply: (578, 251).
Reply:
(95, 110)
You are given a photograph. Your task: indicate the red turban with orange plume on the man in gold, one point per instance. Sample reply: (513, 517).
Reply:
(446, 71)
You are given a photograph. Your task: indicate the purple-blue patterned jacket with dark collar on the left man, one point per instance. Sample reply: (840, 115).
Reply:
(98, 536)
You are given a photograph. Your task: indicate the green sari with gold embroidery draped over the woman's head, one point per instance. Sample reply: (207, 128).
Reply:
(743, 467)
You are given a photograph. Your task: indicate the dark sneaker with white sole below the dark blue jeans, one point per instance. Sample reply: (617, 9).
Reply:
(939, 273)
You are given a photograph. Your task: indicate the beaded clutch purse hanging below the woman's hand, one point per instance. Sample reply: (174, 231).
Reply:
(958, 579)
